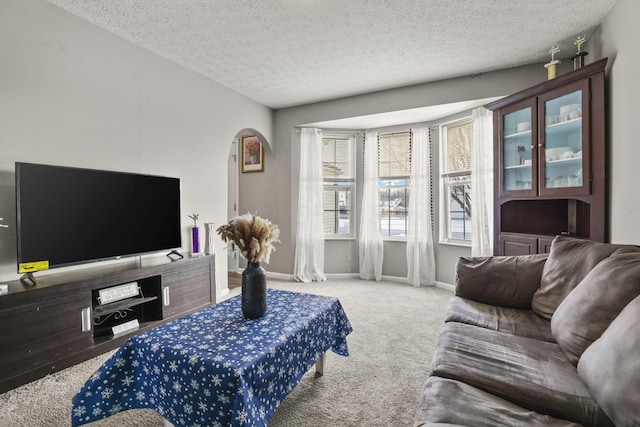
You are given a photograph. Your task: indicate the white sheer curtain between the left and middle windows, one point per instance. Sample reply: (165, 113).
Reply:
(370, 238)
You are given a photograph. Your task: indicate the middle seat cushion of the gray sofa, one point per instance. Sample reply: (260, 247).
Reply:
(530, 373)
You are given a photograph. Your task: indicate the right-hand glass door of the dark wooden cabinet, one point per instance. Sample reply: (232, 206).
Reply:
(562, 155)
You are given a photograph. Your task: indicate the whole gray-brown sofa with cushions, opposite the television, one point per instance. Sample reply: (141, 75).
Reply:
(542, 340)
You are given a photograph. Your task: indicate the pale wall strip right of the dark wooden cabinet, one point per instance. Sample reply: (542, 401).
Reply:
(618, 40)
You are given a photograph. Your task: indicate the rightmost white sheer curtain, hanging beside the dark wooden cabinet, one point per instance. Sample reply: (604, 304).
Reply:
(482, 183)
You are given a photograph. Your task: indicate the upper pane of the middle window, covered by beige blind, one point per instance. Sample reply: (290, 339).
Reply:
(394, 155)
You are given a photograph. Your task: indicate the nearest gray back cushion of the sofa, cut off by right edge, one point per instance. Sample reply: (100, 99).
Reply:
(611, 367)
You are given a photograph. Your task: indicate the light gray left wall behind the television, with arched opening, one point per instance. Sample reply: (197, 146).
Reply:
(73, 94)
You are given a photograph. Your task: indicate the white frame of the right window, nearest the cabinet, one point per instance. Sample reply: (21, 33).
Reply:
(446, 184)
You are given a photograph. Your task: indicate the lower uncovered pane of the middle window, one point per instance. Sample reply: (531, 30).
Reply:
(394, 203)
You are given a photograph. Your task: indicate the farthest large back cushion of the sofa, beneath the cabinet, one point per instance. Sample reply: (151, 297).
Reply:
(570, 260)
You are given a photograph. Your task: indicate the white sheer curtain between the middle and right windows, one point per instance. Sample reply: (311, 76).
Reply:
(421, 265)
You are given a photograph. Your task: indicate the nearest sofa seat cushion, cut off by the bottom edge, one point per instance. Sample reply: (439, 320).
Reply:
(449, 402)
